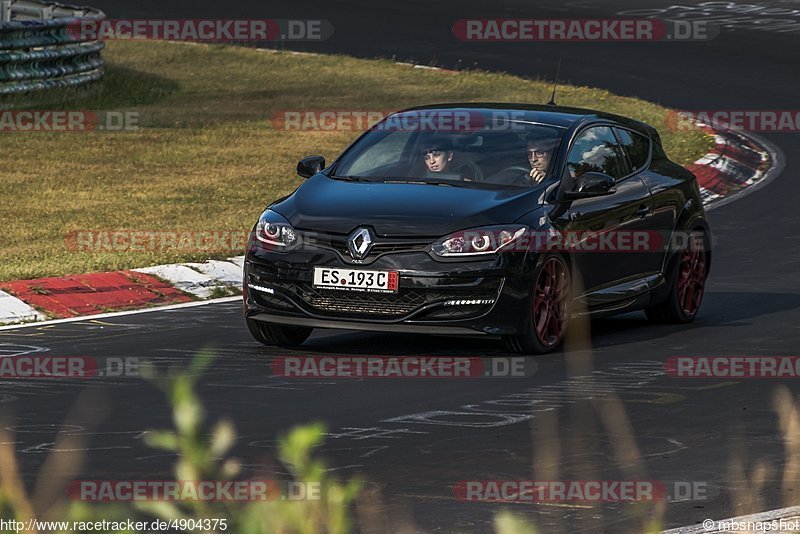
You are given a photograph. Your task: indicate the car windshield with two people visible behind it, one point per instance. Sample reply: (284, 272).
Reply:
(514, 153)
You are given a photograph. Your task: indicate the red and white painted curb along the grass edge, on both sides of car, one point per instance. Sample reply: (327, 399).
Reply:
(738, 163)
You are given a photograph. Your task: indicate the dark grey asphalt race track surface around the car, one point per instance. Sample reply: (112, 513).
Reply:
(686, 430)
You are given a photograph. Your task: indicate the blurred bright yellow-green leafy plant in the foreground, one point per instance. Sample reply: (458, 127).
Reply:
(203, 457)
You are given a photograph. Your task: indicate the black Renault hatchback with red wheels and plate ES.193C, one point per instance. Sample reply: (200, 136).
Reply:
(481, 219)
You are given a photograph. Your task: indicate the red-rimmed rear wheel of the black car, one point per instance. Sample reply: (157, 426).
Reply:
(687, 275)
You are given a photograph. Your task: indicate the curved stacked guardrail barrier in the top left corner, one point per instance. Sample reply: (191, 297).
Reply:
(41, 46)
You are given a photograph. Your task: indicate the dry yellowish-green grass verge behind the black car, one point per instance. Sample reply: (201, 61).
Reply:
(207, 156)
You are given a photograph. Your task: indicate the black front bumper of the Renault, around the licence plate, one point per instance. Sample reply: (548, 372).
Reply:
(485, 296)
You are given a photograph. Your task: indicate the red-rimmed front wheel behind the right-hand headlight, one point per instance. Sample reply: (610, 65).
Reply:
(549, 309)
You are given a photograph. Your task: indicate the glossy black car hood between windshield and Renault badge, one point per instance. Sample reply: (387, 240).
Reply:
(326, 205)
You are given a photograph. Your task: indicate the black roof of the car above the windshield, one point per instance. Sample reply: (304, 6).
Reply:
(562, 116)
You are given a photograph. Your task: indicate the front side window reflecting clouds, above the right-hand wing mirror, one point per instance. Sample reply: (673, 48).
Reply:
(596, 150)
